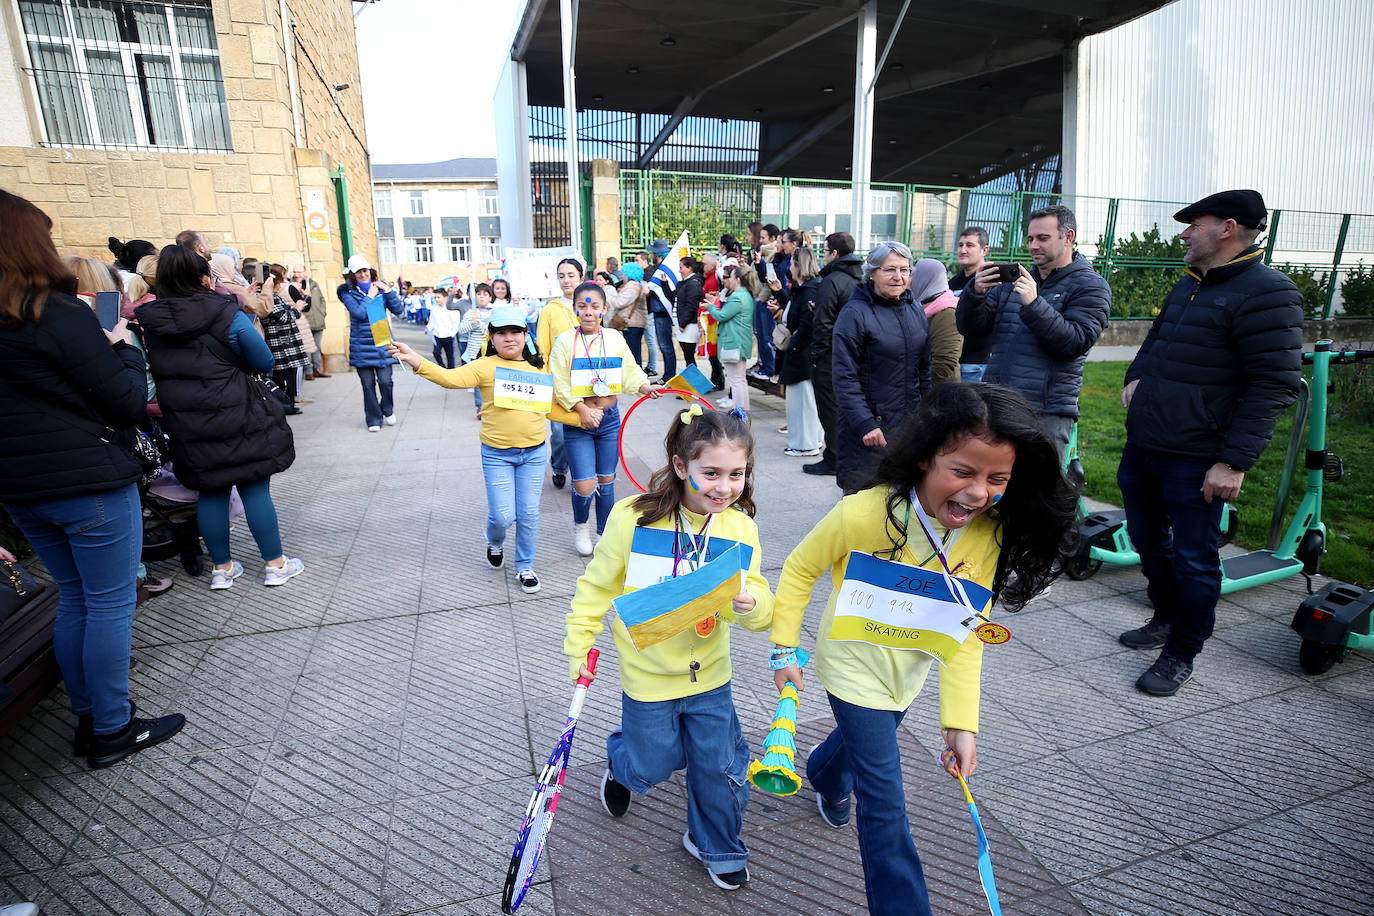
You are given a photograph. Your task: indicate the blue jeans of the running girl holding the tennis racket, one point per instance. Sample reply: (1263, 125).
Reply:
(703, 734)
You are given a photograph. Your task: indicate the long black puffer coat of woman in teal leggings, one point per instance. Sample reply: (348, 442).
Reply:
(225, 428)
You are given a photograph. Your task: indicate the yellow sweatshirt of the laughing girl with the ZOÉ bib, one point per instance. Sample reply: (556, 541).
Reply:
(876, 676)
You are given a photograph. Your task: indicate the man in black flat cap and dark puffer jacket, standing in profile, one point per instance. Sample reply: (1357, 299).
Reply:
(1221, 363)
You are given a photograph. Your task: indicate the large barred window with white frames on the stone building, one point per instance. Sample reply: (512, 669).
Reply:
(123, 73)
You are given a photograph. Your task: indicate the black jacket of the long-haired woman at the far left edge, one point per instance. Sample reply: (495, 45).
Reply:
(67, 360)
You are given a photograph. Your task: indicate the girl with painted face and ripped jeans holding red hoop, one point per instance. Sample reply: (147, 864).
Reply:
(592, 366)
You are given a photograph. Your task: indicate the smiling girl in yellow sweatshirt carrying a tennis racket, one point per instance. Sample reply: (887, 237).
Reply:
(677, 707)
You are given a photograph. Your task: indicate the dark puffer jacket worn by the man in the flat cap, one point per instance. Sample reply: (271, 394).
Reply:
(1219, 365)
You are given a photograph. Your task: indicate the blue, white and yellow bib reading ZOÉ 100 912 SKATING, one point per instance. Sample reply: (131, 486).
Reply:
(899, 606)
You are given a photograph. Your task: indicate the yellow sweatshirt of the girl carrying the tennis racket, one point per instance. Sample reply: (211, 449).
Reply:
(631, 558)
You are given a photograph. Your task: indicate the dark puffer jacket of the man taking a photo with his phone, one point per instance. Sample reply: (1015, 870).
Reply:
(1038, 350)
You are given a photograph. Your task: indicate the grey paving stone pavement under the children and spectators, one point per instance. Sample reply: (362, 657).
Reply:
(363, 740)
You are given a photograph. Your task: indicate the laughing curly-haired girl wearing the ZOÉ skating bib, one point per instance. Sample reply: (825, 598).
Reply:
(923, 547)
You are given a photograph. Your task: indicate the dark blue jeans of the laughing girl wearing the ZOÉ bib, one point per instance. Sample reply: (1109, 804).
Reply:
(862, 757)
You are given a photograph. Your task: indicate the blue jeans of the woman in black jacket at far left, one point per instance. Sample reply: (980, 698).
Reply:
(91, 546)
